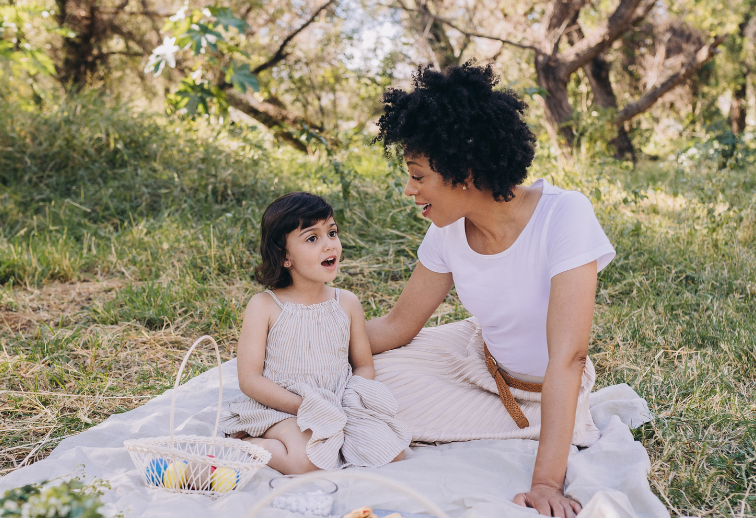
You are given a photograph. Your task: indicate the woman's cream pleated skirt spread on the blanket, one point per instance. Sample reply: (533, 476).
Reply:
(445, 392)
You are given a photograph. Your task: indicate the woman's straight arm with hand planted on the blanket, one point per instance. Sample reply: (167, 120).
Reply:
(568, 327)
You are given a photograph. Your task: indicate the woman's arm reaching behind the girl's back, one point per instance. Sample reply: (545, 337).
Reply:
(421, 296)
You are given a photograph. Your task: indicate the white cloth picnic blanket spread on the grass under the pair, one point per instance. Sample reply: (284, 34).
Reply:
(475, 479)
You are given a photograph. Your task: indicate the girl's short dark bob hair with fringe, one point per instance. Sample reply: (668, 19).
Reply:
(288, 213)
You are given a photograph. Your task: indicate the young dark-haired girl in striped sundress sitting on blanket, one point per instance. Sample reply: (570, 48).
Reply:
(304, 359)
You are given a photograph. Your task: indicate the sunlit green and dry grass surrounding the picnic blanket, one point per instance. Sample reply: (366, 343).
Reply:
(125, 237)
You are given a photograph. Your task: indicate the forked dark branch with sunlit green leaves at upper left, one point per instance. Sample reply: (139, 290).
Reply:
(220, 73)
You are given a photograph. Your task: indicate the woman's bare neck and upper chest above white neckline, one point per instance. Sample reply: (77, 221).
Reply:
(492, 227)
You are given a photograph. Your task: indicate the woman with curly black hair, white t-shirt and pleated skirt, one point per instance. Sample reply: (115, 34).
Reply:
(524, 260)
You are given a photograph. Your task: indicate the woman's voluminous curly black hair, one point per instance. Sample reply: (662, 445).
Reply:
(462, 125)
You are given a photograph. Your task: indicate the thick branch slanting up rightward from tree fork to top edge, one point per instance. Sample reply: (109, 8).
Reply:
(627, 13)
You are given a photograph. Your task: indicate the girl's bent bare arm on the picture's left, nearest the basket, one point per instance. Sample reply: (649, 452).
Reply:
(251, 358)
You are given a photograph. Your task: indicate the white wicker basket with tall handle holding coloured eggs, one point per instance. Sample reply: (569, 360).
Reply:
(191, 464)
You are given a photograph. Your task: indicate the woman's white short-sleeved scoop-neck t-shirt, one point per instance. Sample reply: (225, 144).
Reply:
(508, 292)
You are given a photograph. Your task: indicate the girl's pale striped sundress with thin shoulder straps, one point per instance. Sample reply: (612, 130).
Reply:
(352, 418)
